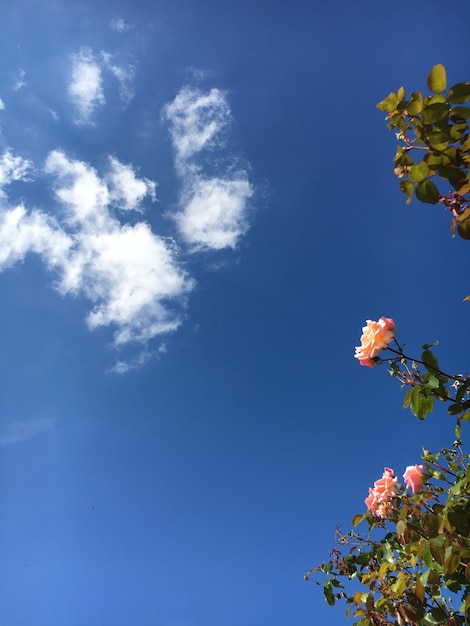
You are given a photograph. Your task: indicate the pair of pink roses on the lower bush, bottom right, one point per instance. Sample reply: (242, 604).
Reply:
(380, 498)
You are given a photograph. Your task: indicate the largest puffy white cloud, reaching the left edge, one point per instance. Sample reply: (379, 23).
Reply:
(131, 276)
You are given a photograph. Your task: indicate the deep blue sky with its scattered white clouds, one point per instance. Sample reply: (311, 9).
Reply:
(198, 214)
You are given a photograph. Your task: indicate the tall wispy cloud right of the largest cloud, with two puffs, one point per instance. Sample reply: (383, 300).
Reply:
(213, 209)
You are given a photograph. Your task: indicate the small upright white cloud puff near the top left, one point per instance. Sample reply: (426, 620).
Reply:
(85, 87)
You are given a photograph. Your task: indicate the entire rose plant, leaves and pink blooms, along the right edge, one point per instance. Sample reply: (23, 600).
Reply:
(411, 566)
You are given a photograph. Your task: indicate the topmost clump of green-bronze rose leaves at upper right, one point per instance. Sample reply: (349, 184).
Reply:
(434, 142)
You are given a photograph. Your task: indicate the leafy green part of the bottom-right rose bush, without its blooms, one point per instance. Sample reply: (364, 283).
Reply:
(414, 565)
